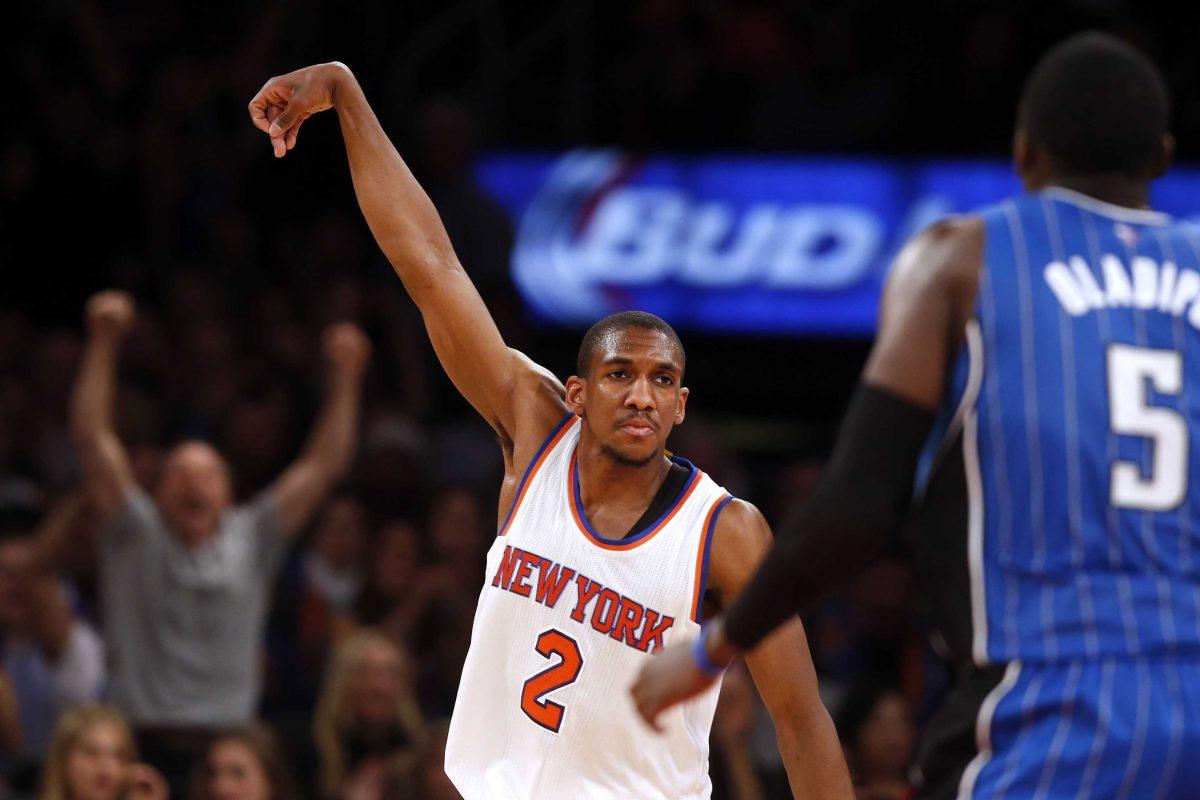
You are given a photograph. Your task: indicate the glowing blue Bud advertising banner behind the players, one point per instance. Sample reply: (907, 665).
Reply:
(757, 245)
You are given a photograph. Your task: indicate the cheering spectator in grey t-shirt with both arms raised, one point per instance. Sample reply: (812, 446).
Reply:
(187, 575)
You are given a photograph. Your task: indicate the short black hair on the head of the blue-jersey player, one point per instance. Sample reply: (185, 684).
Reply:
(1097, 106)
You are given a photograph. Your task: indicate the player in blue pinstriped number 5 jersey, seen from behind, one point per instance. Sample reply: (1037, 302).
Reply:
(1037, 381)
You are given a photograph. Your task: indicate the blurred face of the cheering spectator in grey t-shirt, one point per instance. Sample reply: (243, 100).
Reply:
(195, 491)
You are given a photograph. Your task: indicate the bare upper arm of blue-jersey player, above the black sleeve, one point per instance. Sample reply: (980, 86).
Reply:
(926, 304)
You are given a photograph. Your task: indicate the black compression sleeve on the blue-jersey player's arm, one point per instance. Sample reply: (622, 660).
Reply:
(861, 500)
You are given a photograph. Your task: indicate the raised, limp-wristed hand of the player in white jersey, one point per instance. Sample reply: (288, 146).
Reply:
(285, 103)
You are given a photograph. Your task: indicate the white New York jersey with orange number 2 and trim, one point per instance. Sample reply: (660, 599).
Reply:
(566, 622)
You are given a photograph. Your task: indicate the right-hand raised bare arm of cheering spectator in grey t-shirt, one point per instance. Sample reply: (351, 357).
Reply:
(327, 455)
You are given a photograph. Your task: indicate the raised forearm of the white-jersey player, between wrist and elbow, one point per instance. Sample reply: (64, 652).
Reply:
(398, 210)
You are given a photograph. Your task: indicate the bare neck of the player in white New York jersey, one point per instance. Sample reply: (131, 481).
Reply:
(609, 485)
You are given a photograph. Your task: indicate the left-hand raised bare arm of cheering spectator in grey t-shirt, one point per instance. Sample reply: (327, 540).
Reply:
(107, 472)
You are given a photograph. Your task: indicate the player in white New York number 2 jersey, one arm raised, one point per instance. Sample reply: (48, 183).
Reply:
(607, 545)
